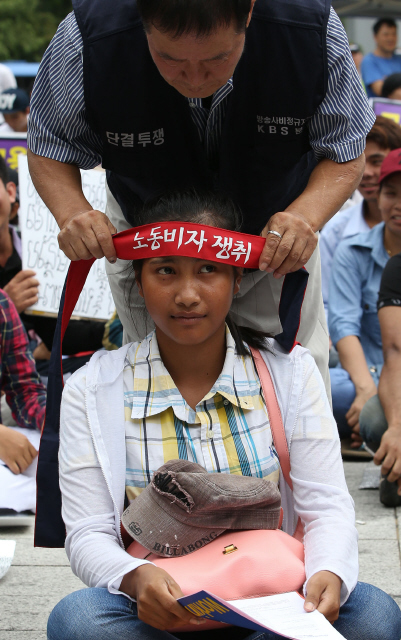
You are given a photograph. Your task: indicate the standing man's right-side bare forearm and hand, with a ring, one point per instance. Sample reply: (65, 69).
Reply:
(329, 186)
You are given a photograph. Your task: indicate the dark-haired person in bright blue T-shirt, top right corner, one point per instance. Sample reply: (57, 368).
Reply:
(383, 61)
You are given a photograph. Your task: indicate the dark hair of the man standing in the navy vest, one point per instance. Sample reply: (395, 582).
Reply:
(201, 17)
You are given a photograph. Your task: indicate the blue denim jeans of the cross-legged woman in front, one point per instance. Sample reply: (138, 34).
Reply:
(95, 614)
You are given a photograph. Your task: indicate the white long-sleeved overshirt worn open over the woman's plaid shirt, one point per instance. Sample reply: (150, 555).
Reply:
(93, 463)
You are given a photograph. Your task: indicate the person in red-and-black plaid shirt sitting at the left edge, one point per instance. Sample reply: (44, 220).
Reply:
(26, 397)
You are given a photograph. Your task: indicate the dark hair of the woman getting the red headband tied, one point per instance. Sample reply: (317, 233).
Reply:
(201, 207)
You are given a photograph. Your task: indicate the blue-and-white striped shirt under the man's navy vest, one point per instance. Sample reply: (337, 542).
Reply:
(58, 127)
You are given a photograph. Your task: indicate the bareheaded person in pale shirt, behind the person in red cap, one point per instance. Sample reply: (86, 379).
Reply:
(384, 136)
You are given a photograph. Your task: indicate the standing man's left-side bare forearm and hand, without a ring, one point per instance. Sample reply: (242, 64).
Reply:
(84, 232)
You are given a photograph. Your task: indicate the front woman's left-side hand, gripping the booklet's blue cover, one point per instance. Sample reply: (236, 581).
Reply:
(156, 593)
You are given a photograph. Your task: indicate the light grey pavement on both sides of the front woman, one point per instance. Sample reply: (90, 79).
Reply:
(39, 578)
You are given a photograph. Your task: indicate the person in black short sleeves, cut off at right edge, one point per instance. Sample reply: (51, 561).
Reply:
(380, 419)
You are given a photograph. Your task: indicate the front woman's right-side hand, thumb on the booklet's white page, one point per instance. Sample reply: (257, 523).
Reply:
(323, 593)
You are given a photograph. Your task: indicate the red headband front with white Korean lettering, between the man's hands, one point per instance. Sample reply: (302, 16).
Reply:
(191, 240)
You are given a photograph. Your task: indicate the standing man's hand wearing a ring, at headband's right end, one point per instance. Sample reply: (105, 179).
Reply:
(293, 250)
